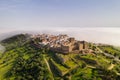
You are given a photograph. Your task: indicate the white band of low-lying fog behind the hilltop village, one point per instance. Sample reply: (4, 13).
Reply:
(98, 35)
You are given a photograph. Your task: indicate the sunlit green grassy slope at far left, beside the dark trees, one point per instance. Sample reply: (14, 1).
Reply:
(8, 60)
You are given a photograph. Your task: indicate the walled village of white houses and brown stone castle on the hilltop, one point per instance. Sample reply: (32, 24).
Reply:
(60, 43)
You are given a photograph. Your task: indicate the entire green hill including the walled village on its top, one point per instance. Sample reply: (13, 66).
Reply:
(57, 57)
